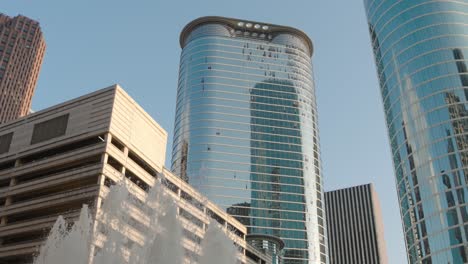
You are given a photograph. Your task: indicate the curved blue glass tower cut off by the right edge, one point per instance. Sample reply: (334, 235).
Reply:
(420, 48)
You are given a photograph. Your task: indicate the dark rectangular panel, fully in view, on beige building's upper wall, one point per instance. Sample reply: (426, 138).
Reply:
(49, 129)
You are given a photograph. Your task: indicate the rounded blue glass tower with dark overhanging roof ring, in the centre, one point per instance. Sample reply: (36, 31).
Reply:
(246, 131)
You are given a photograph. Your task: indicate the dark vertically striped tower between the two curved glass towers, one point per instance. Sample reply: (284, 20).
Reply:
(355, 226)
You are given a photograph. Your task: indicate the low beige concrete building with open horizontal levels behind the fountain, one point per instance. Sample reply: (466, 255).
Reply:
(54, 161)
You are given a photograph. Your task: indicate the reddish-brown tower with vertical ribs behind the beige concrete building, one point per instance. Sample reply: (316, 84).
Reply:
(22, 48)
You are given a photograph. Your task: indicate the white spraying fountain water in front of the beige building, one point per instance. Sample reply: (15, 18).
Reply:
(158, 243)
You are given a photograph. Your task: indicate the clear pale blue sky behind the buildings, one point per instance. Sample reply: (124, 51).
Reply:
(94, 44)
